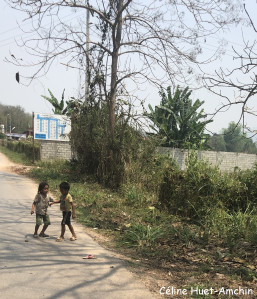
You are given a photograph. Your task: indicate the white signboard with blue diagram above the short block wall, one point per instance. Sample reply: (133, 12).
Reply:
(51, 127)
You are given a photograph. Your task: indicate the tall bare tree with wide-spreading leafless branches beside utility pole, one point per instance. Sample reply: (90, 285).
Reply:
(131, 42)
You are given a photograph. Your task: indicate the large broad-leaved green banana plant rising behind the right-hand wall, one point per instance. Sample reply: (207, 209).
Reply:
(177, 121)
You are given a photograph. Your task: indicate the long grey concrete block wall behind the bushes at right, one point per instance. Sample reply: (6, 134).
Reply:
(224, 160)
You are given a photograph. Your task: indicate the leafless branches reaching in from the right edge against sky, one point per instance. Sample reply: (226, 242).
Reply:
(241, 79)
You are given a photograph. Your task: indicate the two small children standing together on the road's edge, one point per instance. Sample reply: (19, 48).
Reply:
(42, 201)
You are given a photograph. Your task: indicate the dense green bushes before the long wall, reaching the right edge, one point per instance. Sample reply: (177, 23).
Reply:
(201, 188)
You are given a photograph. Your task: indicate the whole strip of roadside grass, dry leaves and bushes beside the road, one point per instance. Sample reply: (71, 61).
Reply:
(198, 223)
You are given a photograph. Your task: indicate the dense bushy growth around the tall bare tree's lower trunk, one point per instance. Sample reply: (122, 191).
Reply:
(100, 154)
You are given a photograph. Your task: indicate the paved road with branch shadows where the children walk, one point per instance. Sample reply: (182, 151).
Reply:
(43, 268)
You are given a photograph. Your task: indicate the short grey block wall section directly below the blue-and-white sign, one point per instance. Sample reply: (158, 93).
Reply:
(55, 150)
